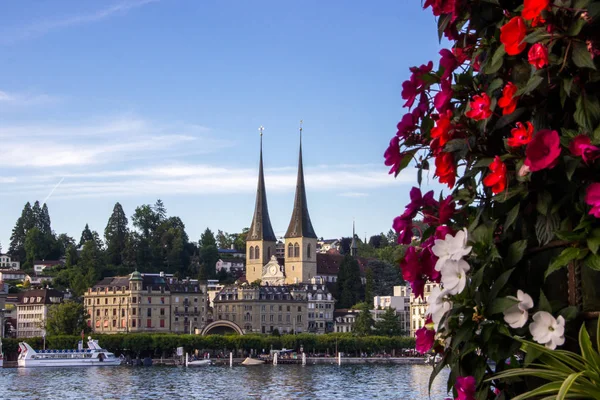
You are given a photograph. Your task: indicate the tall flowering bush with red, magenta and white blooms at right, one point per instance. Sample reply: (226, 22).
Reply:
(510, 123)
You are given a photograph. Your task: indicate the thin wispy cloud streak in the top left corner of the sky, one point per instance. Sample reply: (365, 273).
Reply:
(43, 27)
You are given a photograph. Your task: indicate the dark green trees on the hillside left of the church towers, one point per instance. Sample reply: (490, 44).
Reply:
(156, 242)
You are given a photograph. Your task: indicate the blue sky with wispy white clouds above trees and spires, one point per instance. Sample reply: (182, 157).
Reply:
(131, 101)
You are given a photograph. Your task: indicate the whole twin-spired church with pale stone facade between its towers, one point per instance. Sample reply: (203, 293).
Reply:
(300, 261)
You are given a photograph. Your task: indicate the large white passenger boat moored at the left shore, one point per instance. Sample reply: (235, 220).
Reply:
(94, 355)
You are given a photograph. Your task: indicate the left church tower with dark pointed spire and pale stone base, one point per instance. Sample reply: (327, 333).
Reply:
(260, 242)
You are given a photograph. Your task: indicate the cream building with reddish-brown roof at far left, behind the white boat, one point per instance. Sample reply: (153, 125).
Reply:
(32, 311)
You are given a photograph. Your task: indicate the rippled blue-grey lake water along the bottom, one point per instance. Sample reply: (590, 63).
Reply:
(406, 382)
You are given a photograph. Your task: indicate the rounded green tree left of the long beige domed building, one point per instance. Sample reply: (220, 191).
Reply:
(68, 318)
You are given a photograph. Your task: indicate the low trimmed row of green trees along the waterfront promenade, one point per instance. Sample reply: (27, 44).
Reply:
(157, 345)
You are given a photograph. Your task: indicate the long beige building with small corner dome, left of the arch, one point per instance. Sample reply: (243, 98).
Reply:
(145, 303)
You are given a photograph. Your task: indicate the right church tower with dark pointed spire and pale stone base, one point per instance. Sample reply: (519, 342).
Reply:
(300, 238)
